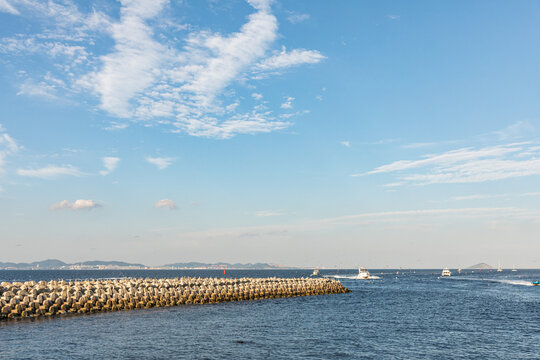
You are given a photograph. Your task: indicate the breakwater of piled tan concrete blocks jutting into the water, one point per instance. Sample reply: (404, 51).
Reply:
(31, 299)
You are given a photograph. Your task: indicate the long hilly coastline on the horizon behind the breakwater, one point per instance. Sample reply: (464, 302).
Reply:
(54, 264)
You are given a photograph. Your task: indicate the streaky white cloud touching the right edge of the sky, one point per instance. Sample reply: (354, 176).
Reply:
(467, 165)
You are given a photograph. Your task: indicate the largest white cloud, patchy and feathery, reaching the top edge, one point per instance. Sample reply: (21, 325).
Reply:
(148, 76)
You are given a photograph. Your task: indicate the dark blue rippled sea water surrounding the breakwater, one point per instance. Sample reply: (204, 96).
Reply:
(481, 315)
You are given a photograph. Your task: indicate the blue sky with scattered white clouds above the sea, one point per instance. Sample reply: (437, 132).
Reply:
(305, 133)
